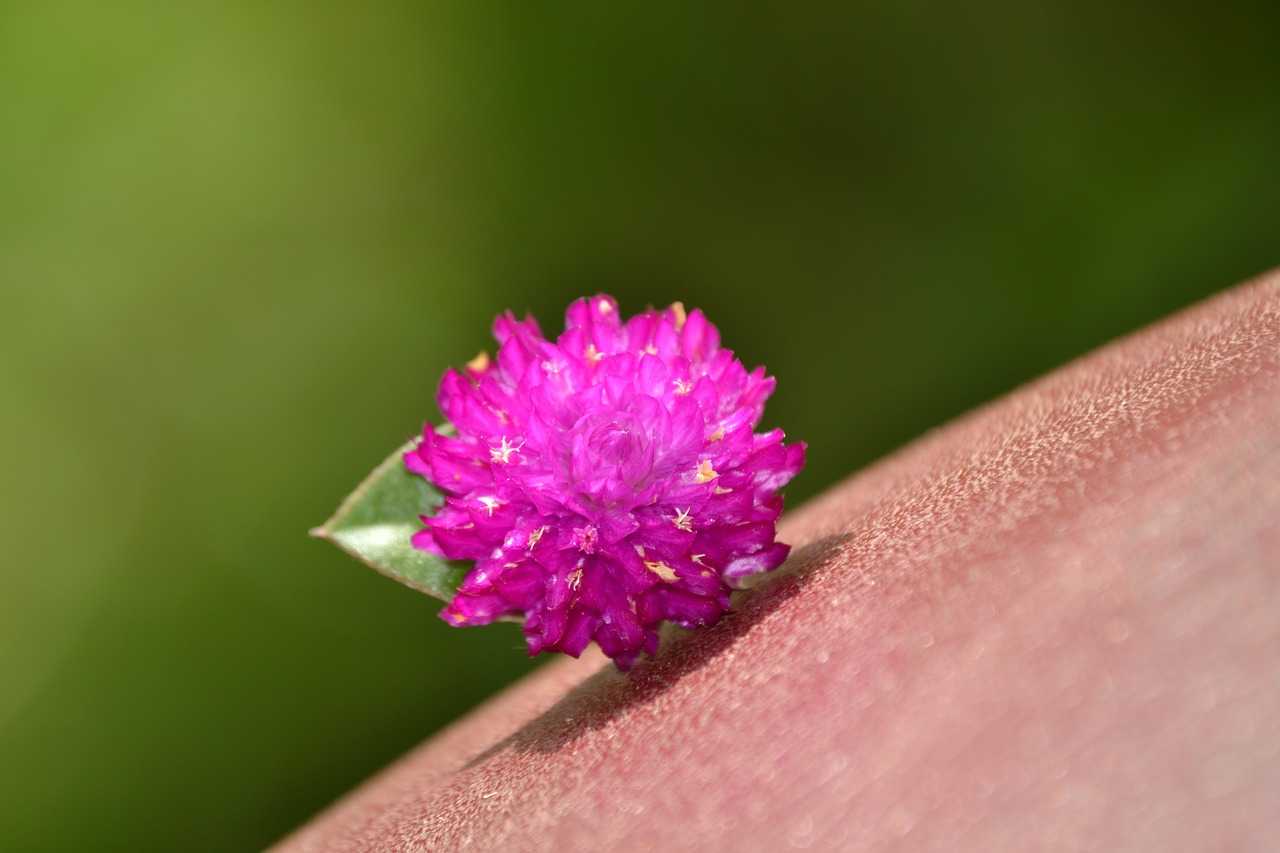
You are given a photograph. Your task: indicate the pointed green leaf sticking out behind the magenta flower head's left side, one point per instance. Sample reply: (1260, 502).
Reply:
(377, 523)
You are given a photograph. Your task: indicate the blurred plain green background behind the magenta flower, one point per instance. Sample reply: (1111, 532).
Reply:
(240, 243)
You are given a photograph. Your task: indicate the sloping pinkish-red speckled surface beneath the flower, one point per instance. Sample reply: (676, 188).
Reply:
(1054, 624)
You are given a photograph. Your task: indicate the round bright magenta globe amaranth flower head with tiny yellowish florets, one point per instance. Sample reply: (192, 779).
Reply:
(605, 482)
